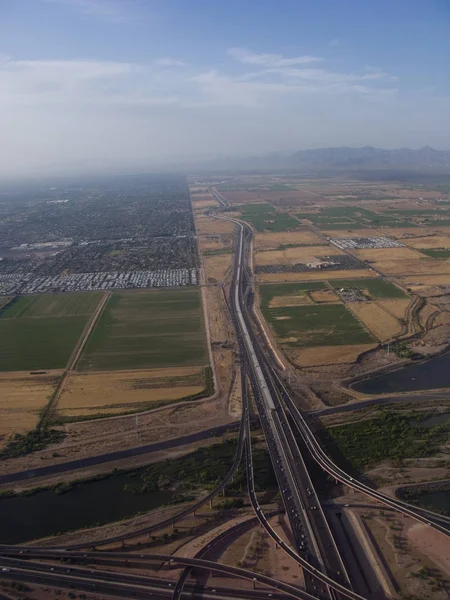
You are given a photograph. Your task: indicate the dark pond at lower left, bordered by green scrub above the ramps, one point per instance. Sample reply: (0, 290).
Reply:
(45, 513)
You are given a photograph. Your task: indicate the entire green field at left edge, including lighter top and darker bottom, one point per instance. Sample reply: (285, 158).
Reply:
(41, 332)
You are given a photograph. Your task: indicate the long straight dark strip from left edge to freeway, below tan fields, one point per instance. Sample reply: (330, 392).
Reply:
(118, 455)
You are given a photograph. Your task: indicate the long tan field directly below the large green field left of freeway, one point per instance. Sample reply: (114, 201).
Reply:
(99, 394)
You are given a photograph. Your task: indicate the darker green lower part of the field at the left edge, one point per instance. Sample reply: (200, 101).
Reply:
(29, 344)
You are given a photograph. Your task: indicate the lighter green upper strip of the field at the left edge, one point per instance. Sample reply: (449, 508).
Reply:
(52, 305)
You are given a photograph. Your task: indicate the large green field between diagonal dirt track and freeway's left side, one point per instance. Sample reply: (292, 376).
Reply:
(148, 329)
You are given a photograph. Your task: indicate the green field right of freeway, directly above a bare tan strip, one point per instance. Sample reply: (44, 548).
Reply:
(316, 325)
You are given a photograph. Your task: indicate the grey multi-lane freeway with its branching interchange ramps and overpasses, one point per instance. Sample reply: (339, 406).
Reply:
(288, 436)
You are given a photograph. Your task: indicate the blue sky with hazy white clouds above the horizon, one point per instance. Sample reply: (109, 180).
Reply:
(138, 84)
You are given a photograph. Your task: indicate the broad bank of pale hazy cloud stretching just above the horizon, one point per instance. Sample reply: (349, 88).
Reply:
(117, 113)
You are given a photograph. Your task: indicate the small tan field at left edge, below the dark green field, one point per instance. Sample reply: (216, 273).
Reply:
(22, 397)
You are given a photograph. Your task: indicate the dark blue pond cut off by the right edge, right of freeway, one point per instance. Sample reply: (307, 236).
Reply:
(427, 375)
